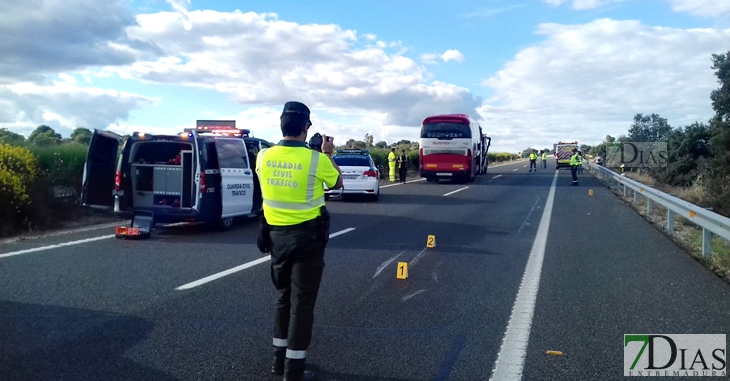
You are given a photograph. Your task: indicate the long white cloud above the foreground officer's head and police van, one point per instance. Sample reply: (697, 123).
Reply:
(261, 60)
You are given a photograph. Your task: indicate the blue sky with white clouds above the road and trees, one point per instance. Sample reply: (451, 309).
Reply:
(533, 72)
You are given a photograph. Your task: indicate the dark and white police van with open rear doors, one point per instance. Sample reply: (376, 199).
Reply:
(205, 174)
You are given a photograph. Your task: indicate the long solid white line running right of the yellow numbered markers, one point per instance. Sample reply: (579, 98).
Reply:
(511, 357)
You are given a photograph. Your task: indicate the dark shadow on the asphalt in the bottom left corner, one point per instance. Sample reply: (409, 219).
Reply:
(58, 343)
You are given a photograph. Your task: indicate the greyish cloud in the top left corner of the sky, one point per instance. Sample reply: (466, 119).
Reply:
(53, 36)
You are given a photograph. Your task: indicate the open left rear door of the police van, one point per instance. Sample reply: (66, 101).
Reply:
(99, 170)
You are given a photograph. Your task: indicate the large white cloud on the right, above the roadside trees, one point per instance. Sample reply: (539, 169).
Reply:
(586, 81)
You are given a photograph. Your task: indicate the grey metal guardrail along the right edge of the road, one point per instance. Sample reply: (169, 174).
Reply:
(710, 222)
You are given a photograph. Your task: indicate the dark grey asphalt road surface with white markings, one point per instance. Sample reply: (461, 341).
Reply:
(579, 272)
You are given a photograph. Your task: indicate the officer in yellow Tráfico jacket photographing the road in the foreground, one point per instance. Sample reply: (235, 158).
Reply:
(295, 230)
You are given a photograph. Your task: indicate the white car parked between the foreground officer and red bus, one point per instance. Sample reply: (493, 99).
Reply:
(359, 174)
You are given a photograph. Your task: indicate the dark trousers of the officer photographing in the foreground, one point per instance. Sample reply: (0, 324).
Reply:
(297, 262)
